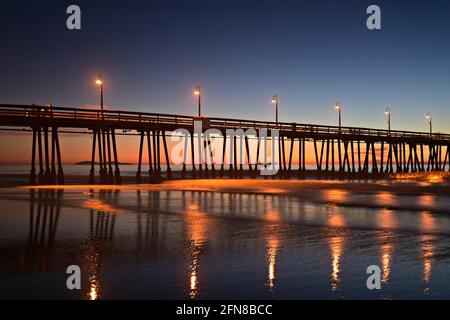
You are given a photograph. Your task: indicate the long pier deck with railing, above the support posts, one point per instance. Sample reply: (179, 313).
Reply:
(15, 112)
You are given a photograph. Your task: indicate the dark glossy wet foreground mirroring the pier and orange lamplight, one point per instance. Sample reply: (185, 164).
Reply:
(133, 244)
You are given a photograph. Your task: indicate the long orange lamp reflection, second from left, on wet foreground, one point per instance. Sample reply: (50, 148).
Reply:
(197, 223)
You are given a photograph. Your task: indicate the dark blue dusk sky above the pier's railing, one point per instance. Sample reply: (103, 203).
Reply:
(310, 53)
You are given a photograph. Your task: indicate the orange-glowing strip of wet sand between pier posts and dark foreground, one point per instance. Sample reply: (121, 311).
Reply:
(411, 196)
